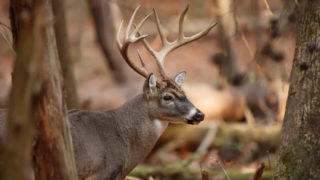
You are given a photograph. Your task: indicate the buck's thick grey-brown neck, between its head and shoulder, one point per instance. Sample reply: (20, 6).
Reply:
(140, 131)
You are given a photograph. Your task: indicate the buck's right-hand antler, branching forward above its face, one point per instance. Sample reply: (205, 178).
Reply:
(170, 46)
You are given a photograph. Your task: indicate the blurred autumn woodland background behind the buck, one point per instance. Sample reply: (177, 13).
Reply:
(237, 75)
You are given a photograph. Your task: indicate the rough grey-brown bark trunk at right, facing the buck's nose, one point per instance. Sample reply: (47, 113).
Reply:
(300, 149)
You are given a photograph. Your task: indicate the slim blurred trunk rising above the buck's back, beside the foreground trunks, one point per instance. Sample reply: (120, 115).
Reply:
(64, 54)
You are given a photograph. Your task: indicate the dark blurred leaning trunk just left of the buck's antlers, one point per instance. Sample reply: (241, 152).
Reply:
(102, 16)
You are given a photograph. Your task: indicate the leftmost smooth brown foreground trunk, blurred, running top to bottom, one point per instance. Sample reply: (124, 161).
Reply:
(27, 25)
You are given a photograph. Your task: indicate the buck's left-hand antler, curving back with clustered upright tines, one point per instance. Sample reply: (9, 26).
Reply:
(130, 38)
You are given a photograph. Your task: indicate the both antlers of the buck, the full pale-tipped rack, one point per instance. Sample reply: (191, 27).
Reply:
(159, 56)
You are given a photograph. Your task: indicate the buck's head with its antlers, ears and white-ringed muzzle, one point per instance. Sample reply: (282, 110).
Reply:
(166, 99)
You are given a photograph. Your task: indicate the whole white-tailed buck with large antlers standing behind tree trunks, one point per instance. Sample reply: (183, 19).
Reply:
(109, 144)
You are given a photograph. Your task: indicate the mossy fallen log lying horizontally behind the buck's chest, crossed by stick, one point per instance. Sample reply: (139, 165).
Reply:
(181, 135)
